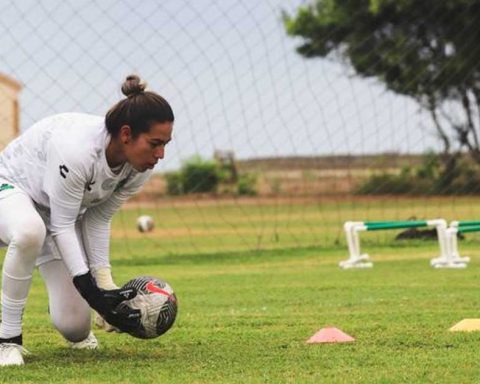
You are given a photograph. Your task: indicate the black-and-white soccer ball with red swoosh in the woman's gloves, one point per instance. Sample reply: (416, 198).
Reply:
(157, 303)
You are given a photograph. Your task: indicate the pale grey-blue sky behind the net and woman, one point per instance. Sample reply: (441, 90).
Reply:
(227, 68)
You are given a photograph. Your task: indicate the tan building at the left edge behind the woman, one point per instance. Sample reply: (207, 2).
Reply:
(9, 109)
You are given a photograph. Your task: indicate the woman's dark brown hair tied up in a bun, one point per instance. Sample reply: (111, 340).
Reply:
(138, 110)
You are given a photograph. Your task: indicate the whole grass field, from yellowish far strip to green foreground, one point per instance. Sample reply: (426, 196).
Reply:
(245, 315)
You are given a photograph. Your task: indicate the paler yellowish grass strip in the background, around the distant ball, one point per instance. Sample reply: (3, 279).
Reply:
(201, 228)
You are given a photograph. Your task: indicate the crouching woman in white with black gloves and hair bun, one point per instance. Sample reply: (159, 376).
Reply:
(60, 184)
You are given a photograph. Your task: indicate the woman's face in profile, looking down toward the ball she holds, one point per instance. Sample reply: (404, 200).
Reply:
(146, 149)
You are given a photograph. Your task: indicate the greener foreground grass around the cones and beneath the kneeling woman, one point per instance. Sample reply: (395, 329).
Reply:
(246, 317)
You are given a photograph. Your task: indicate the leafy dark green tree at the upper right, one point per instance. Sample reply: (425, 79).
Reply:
(424, 49)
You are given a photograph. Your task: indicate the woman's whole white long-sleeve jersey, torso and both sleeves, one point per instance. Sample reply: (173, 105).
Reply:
(60, 162)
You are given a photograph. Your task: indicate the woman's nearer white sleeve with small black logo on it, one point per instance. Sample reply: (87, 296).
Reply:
(64, 183)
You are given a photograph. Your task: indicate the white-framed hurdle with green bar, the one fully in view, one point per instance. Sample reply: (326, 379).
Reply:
(359, 260)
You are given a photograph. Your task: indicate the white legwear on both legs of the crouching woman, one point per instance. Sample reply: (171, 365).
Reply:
(29, 244)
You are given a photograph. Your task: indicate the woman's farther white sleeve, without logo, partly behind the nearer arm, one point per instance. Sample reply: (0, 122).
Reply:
(96, 222)
